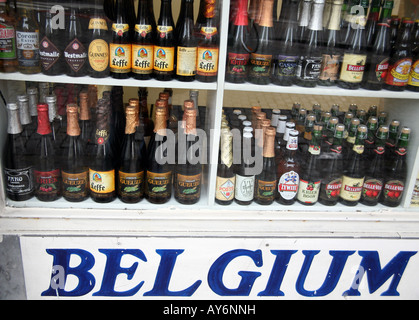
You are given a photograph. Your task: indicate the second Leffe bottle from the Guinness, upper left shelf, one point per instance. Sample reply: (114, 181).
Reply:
(143, 43)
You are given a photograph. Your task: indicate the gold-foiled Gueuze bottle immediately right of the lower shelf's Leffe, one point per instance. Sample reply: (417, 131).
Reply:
(131, 174)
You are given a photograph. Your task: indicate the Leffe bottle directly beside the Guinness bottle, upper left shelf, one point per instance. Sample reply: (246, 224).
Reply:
(120, 46)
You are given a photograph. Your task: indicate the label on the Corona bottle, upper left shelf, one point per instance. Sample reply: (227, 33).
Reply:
(27, 45)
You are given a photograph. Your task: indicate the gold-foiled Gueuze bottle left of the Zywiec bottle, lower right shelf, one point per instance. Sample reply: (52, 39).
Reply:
(266, 181)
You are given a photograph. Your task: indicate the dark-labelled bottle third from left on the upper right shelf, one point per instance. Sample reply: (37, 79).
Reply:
(286, 59)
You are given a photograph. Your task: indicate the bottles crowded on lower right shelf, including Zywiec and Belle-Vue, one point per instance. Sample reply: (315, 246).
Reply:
(312, 157)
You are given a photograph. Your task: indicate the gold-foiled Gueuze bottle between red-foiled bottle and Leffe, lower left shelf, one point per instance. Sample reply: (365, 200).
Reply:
(75, 173)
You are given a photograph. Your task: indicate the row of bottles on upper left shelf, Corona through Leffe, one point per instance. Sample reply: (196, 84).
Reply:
(130, 46)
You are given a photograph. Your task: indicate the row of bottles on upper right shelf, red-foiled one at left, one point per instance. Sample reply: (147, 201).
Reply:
(325, 43)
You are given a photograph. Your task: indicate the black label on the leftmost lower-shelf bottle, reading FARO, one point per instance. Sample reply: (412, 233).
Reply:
(19, 181)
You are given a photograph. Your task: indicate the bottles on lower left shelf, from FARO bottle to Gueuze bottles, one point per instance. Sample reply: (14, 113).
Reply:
(119, 155)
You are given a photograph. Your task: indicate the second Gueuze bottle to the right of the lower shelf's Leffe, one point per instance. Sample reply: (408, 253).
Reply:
(158, 188)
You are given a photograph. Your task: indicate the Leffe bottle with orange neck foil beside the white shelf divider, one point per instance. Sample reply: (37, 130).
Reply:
(207, 56)
